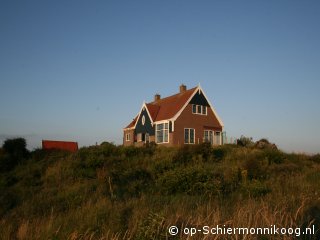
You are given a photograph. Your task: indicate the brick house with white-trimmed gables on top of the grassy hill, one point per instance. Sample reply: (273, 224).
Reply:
(184, 118)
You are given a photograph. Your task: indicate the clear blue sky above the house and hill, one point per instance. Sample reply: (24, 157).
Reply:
(80, 70)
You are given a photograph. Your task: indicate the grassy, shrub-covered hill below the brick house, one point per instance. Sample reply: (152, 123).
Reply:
(115, 192)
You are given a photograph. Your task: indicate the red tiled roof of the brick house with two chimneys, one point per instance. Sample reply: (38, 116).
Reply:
(166, 108)
